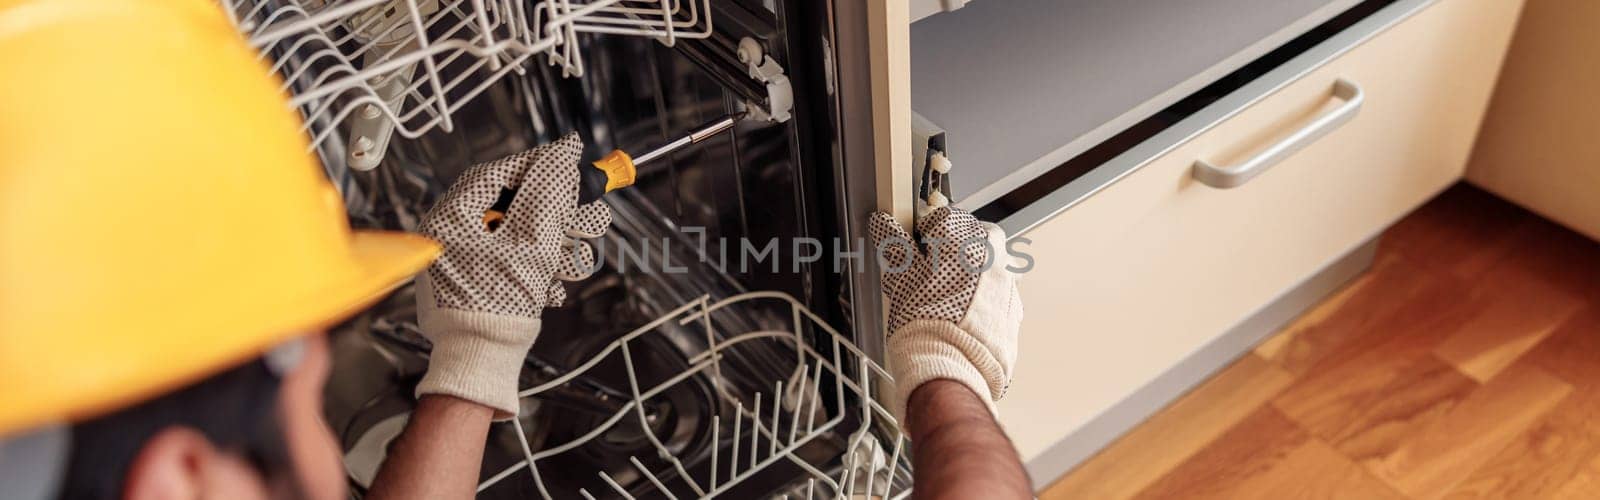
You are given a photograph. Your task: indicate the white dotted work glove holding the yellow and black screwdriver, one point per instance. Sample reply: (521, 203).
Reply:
(481, 300)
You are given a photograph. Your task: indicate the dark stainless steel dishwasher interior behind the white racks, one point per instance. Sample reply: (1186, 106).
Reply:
(743, 185)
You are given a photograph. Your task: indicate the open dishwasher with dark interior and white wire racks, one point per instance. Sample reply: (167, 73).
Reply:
(676, 376)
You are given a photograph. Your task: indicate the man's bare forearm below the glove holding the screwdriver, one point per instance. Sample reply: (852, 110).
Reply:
(439, 454)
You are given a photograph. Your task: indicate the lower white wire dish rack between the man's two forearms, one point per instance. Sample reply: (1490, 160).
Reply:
(830, 392)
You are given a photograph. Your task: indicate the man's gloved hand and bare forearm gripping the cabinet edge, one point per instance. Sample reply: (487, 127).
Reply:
(954, 318)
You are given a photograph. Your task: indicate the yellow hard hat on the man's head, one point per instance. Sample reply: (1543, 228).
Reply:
(161, 217)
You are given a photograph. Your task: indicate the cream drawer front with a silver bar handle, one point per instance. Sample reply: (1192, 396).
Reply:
(1137, 278)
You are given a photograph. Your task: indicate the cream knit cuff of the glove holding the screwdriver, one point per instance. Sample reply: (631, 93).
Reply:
(478, 357)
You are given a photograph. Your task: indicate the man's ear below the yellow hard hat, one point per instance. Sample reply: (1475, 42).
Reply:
(170, 466)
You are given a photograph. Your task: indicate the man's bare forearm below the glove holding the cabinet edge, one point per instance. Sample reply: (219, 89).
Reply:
(961, 453)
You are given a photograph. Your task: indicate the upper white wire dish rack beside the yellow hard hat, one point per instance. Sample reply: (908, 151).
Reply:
(406, 67)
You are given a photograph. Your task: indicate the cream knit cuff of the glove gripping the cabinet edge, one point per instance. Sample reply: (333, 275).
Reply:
(927, 350)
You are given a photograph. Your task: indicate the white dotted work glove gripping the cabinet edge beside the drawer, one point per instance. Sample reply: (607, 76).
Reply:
(954, 308)
